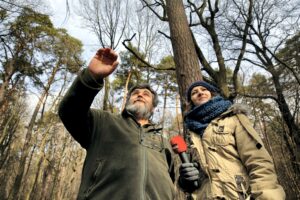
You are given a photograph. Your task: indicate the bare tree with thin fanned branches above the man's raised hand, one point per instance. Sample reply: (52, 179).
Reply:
(107, 20)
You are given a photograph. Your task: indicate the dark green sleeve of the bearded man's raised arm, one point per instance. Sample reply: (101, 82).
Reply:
(74, 109)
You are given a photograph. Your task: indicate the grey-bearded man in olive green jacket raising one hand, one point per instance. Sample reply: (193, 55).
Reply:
(127, 156)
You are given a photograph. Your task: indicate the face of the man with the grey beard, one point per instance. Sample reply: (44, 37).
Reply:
(140, 103)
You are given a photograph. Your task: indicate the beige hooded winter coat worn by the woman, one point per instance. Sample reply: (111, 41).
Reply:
(236, 163)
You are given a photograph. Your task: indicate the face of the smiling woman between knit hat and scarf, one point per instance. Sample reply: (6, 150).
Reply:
(200, 95)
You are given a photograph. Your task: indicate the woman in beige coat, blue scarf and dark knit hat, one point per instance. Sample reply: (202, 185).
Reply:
(232, 162)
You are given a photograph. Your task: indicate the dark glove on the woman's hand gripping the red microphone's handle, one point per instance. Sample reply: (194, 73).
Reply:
(189, 173)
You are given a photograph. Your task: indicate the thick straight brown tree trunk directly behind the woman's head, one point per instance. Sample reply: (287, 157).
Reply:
(185, 57)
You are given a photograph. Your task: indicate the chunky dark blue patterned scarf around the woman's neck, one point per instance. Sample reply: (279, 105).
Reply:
(199, 117)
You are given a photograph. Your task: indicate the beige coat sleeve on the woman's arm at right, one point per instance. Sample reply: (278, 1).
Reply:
(259, 164)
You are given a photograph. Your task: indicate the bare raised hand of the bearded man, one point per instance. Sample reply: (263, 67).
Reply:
(103, 63)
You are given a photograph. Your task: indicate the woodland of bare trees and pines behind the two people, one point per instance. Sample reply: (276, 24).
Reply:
(250, 49)
